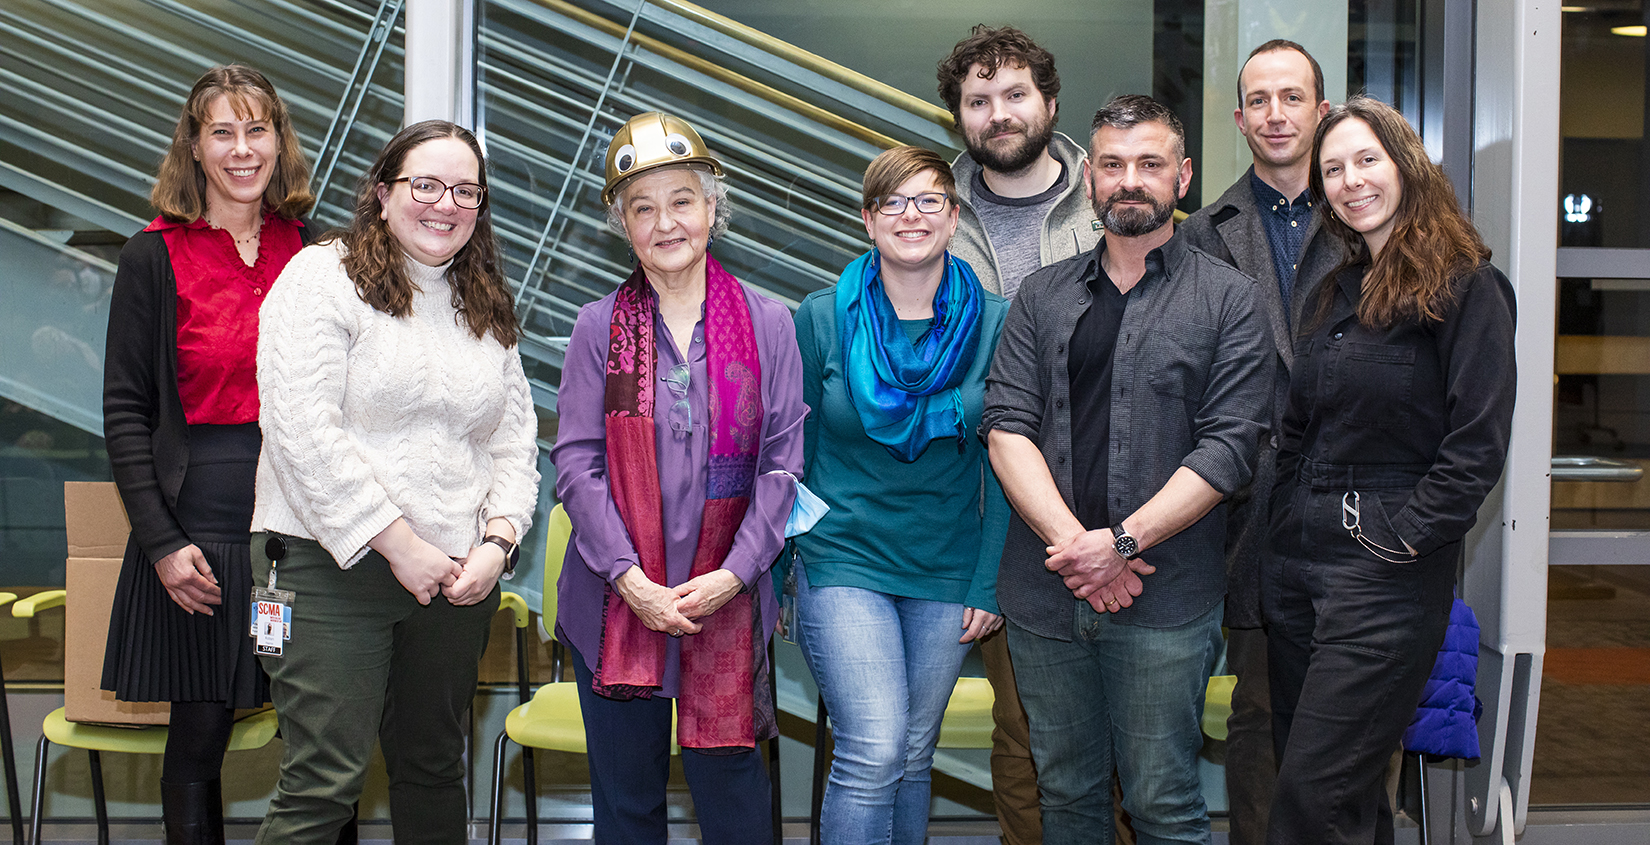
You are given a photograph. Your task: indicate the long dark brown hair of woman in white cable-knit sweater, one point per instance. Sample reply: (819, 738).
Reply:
(377, 263)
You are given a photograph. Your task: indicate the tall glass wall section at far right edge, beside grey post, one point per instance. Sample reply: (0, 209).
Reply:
(1596, 681)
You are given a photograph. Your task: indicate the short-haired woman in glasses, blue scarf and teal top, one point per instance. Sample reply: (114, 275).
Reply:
(900, 578)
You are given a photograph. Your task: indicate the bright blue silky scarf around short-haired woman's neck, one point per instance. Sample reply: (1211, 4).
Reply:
(907, 392)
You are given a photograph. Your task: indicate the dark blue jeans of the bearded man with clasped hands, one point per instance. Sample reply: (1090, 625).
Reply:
(1126, 699)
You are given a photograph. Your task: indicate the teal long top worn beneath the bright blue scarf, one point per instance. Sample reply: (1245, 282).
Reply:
(931, 529)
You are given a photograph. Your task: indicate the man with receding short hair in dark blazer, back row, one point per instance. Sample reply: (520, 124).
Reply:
(1266, 227)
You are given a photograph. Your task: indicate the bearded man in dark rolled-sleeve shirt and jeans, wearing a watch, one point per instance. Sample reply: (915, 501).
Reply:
(1128, 399)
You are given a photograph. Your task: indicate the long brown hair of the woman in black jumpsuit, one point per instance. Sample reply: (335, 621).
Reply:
(1433, 242)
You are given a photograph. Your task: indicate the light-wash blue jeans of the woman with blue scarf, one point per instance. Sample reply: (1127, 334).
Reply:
(887, 668)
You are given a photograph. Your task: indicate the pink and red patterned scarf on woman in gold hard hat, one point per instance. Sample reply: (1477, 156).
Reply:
(720, 664)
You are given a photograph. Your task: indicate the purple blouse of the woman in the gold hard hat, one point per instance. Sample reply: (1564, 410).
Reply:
(601, 550)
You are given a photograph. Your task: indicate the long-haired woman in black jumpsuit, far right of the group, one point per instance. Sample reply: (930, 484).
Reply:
(1398, 422)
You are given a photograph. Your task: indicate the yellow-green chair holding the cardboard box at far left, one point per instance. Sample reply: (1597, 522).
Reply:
(252, 732)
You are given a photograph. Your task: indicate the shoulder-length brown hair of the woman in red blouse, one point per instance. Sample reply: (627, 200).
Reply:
(181, 187)
